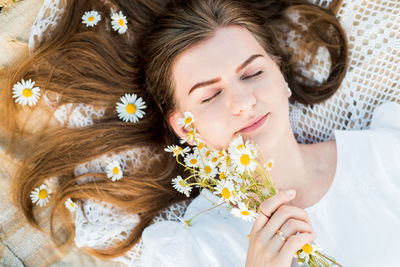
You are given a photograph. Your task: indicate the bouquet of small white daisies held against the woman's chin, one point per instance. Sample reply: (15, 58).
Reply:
(239, 175)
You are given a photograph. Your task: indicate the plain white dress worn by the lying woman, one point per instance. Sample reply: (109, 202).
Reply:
(357, 221)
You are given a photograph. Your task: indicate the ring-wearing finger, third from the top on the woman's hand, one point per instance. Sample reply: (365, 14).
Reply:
(291, 227)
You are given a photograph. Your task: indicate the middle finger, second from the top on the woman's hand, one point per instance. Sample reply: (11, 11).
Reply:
(281, 216)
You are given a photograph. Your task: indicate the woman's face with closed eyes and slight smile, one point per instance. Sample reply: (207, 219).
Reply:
(228, 83)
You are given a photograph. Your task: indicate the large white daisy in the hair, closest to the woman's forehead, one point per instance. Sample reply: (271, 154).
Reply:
(130, 109)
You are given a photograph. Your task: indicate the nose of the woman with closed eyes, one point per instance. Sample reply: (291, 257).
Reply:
(242, 99)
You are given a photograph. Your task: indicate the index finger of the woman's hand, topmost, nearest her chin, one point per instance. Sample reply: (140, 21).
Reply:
(267, 208)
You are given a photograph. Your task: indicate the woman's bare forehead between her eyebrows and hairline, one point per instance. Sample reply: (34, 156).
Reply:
(224, 52)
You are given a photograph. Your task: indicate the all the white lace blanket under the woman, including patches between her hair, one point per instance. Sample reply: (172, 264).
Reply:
(372, 78)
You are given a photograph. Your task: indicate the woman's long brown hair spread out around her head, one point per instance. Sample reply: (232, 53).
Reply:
(96, 66)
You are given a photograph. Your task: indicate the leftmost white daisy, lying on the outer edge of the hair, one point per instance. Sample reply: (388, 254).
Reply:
(25, 93)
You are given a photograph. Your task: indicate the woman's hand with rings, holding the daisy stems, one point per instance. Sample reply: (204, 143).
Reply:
(266, 246)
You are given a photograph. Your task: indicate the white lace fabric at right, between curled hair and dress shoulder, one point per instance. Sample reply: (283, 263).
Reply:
(372, 29)
